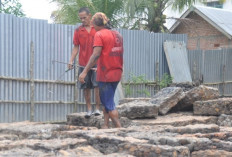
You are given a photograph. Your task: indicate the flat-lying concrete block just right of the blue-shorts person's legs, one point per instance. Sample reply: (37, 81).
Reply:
(138, 109)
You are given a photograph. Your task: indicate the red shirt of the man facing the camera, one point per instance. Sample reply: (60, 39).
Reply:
(84, 40)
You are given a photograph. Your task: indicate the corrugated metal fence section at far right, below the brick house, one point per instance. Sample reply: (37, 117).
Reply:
(212, 68)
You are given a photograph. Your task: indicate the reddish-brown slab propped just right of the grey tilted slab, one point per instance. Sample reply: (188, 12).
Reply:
(200, 93)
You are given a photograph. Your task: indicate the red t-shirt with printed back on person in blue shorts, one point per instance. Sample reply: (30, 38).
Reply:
(110, 63)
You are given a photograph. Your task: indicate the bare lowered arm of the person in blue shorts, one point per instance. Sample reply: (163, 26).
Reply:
(92, 61)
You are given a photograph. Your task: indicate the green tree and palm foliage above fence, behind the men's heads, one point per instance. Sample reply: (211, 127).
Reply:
(130, 14)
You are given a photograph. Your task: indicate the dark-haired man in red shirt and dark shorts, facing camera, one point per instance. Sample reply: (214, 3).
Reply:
(83, 43)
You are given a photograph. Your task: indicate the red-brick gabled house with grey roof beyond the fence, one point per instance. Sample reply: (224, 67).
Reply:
(207, 28)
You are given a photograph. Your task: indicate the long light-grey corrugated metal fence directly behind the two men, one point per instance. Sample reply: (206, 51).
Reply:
(39, 90)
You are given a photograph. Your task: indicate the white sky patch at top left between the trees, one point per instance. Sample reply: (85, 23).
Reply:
(38, 9)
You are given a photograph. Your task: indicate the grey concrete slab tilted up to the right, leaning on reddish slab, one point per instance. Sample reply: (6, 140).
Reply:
(167, 98)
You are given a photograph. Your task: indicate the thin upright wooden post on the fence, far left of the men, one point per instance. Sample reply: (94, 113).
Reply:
(32, 86)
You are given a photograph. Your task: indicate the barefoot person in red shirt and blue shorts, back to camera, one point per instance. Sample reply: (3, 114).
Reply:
(108, 54)
